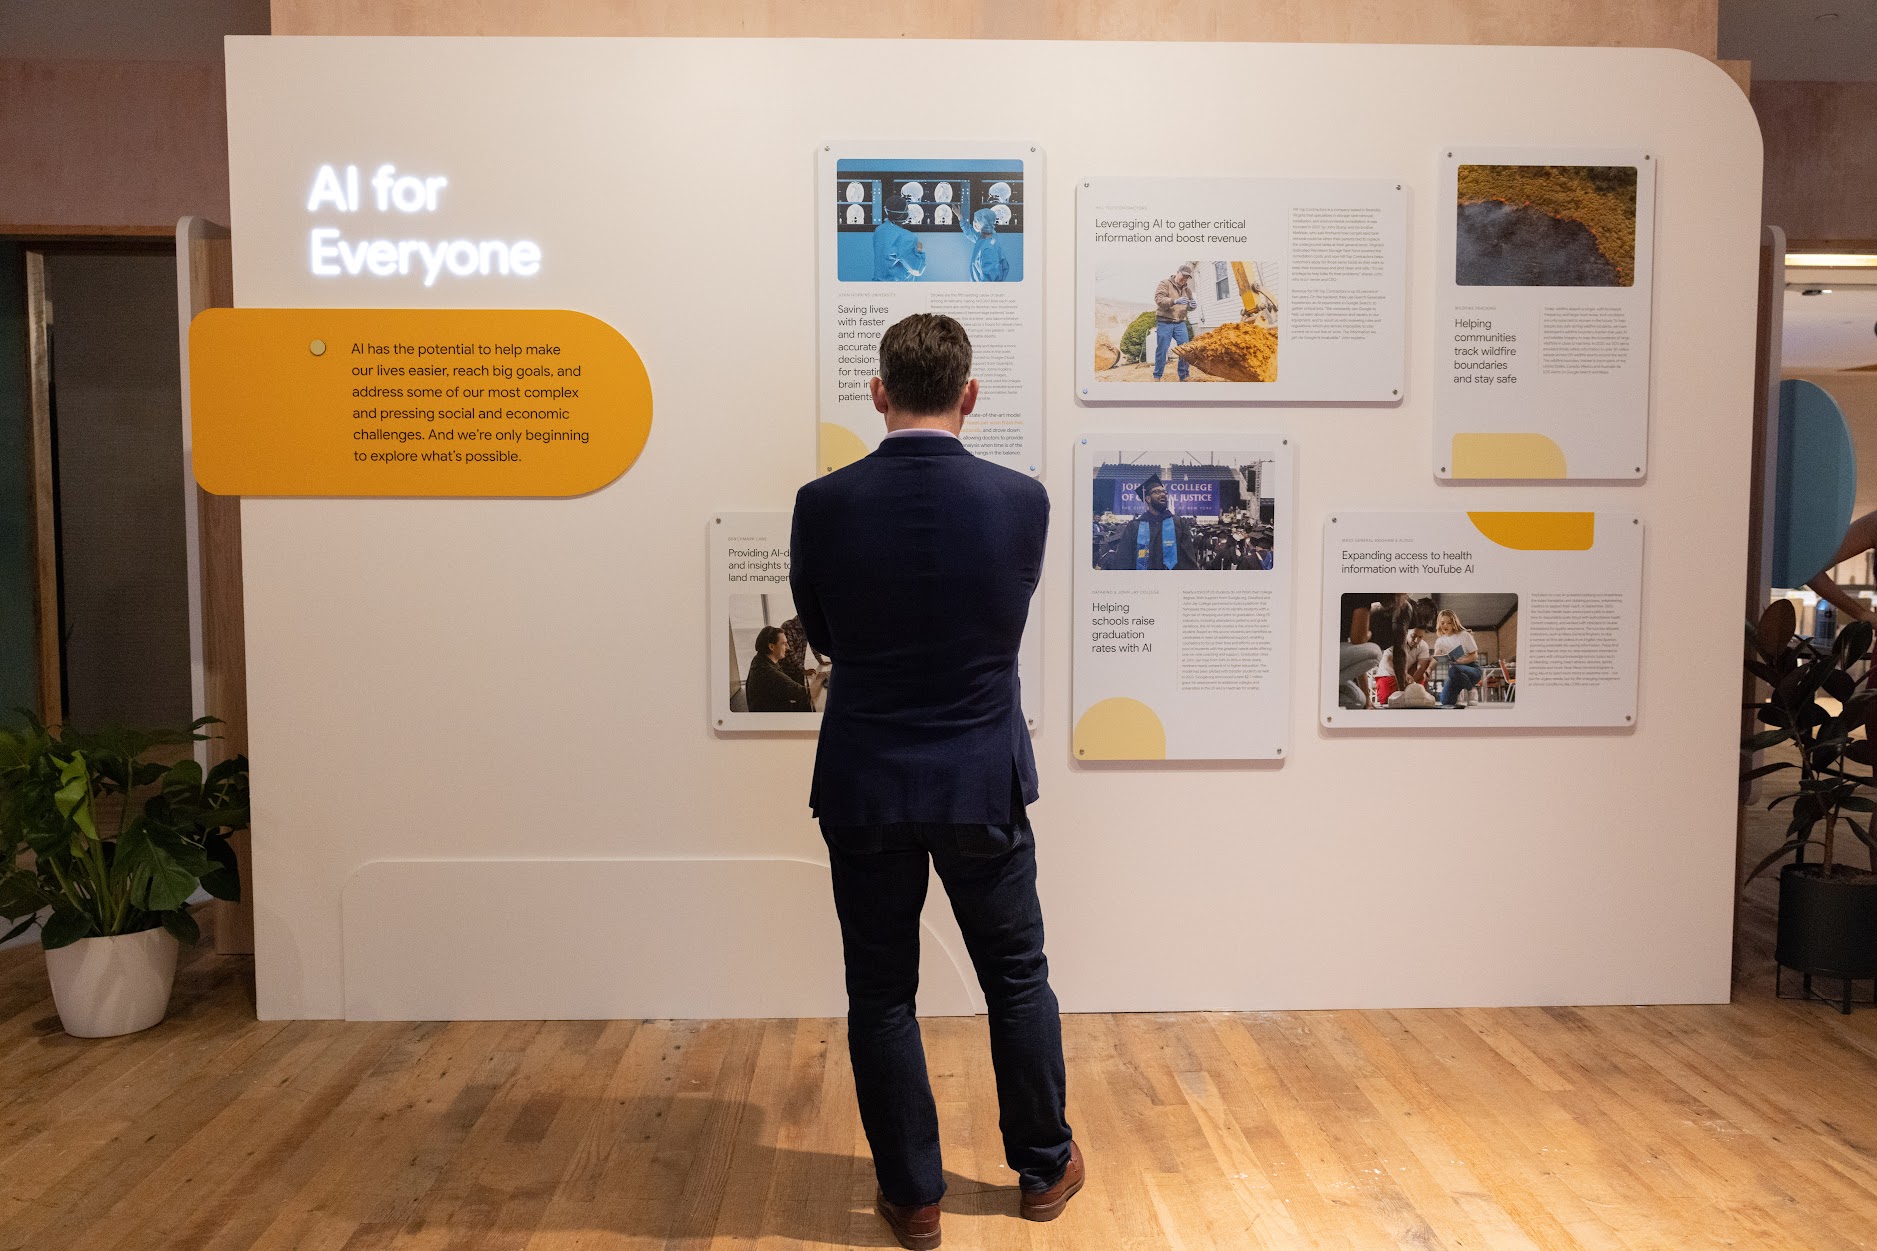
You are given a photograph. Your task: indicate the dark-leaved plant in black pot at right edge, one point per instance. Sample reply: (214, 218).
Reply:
(1827, 908)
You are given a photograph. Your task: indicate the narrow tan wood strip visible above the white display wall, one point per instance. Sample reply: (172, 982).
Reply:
(1688, 25)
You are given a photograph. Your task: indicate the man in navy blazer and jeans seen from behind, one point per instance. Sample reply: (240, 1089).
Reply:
(913, 572)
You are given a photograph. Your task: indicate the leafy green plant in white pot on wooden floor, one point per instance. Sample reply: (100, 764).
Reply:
(104, 850)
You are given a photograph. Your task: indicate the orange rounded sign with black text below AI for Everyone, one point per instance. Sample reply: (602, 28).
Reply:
(414, 403)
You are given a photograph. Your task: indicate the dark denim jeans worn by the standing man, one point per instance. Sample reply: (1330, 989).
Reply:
(879, 889)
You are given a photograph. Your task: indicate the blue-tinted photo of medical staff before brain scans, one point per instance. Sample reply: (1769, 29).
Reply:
(917, 221)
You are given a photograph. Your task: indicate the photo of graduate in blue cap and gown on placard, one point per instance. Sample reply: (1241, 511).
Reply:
(1172, 512)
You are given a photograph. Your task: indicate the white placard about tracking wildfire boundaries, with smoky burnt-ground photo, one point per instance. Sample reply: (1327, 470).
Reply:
(1542, 328)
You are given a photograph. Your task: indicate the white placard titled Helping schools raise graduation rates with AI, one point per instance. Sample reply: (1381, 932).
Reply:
(1183, 574)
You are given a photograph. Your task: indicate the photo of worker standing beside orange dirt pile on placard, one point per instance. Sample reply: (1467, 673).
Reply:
(1185, 320)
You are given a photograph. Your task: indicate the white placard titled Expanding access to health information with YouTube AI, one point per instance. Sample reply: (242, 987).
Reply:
(1480, 621)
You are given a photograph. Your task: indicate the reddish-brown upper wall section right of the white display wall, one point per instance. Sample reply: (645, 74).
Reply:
(1822, 159)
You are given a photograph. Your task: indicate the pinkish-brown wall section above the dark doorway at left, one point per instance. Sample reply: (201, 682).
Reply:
(121, 146)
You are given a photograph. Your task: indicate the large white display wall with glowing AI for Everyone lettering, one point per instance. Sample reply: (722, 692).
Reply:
(483, 782)
